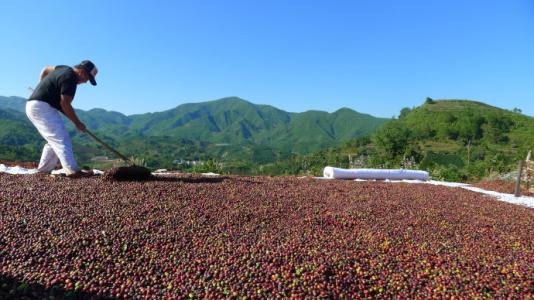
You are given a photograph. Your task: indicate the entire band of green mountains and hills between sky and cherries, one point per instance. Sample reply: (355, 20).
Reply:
(456, 140)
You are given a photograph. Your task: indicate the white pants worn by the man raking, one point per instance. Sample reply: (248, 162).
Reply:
(48, 122)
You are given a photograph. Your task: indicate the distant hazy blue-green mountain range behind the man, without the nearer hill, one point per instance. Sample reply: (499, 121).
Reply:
(225, 128)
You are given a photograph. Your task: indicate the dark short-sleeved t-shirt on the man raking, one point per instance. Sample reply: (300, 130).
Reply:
(61, 81)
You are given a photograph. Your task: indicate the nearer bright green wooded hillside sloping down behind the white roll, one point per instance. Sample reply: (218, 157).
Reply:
(456, 140)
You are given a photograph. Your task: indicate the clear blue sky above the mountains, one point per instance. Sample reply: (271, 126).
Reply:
(375, 57)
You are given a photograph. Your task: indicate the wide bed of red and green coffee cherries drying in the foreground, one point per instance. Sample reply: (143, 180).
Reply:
(189, 236)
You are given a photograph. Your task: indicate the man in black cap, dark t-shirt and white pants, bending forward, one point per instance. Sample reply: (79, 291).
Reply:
(54, 94)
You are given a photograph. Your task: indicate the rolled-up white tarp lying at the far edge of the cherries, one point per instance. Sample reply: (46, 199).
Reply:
(391, 174)
